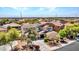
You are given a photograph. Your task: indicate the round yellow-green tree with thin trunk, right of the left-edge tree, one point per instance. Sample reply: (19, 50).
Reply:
(13, 34)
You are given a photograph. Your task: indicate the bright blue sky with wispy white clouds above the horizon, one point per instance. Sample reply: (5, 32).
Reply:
(38, 11)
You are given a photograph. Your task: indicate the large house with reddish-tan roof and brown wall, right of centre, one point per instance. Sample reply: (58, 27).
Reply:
(56, 25)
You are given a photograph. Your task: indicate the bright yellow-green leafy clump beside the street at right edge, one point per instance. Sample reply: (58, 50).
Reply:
(70, 30)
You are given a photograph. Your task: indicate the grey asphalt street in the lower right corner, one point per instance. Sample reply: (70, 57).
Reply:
(72, 47)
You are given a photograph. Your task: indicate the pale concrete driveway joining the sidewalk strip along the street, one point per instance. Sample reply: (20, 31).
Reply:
(44, 47)
